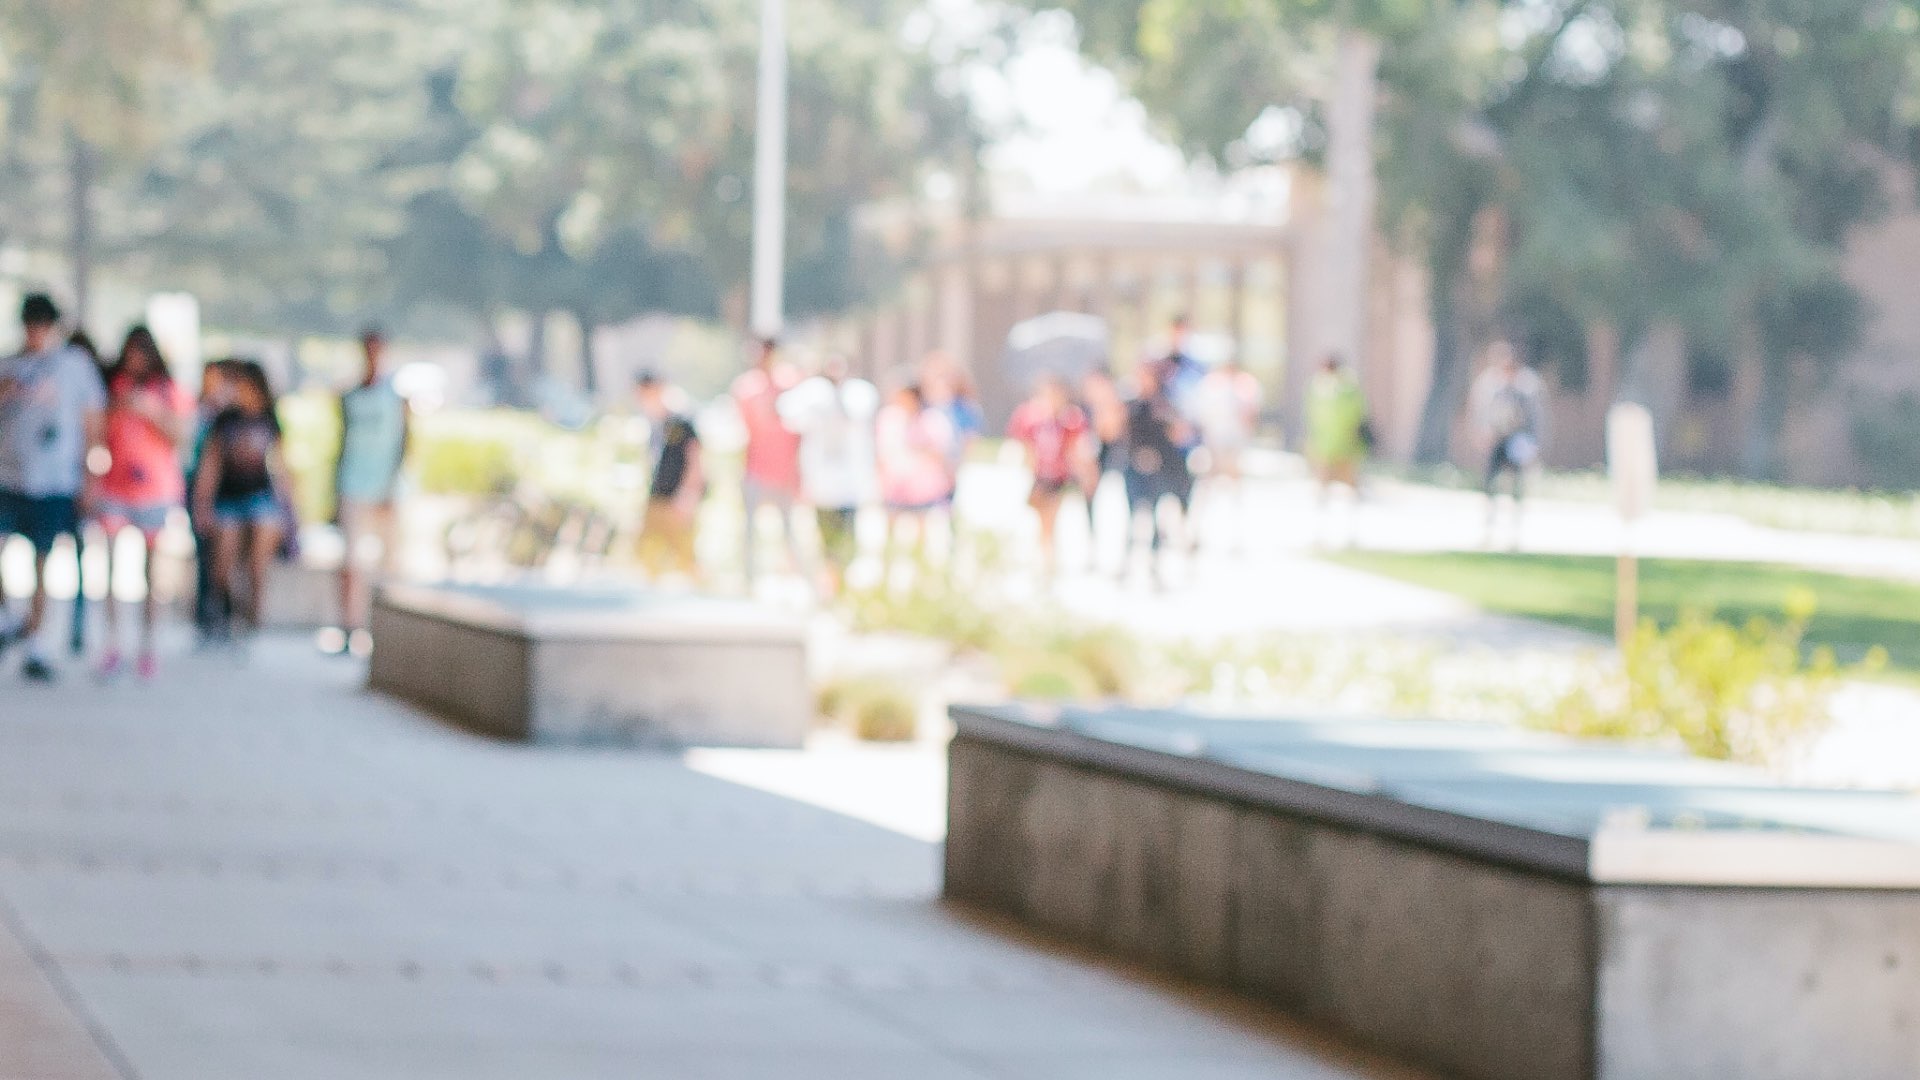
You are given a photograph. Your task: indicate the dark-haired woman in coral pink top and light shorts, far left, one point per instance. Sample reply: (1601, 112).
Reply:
(145, 483)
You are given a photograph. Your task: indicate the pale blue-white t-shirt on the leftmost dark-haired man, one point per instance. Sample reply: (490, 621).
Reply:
(45, 401)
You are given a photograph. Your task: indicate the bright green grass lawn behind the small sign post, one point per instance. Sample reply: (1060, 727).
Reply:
(1573, 591)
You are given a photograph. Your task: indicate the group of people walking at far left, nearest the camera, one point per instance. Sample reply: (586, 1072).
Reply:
(118, 445)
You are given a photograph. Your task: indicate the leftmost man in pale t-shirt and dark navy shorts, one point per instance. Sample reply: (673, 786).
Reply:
(53, 416)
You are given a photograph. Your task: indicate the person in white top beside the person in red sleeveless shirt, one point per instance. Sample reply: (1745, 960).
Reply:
(834, 416)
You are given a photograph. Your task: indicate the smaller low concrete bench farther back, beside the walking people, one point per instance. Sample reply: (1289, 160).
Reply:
(594, 666)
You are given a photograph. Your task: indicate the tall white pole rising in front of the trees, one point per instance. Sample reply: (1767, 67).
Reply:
(771, 176)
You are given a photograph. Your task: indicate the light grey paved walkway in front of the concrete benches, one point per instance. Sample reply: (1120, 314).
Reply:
(268, 875)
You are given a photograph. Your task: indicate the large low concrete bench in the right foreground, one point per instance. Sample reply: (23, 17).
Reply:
(1483, 902)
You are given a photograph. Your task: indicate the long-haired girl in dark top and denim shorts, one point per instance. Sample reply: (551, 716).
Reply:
(241, 491)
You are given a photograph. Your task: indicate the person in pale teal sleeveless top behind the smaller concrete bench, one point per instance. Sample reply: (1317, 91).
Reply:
(375, 428)
